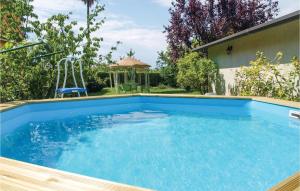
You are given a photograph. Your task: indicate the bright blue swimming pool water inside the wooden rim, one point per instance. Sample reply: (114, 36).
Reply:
(167, 144)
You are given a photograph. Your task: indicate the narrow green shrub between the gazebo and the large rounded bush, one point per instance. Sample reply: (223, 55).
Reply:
(167, 68)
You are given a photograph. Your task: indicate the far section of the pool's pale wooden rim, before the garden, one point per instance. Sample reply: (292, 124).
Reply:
(11, 105)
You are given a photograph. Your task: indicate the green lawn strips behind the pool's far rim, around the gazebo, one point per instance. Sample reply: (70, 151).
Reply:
(154, 90)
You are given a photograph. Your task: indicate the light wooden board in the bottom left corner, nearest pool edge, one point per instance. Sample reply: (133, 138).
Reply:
(20, 176)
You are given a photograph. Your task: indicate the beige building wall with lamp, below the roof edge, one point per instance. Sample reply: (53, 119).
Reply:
(283, 37)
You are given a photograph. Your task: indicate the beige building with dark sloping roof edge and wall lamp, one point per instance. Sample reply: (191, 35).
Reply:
(231, 52)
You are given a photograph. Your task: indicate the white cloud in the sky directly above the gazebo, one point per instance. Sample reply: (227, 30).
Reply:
(145, 41)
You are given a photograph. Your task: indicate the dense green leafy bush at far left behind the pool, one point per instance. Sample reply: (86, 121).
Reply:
(22, 78)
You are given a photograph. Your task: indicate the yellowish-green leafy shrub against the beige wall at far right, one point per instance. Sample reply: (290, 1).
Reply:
(264, 78)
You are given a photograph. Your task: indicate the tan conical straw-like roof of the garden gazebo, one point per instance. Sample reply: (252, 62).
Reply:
(130, 62)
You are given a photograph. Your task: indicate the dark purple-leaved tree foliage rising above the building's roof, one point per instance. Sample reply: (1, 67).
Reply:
(205, 21)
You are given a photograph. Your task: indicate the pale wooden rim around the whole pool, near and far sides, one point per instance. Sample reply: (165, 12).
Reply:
(21, 176)
